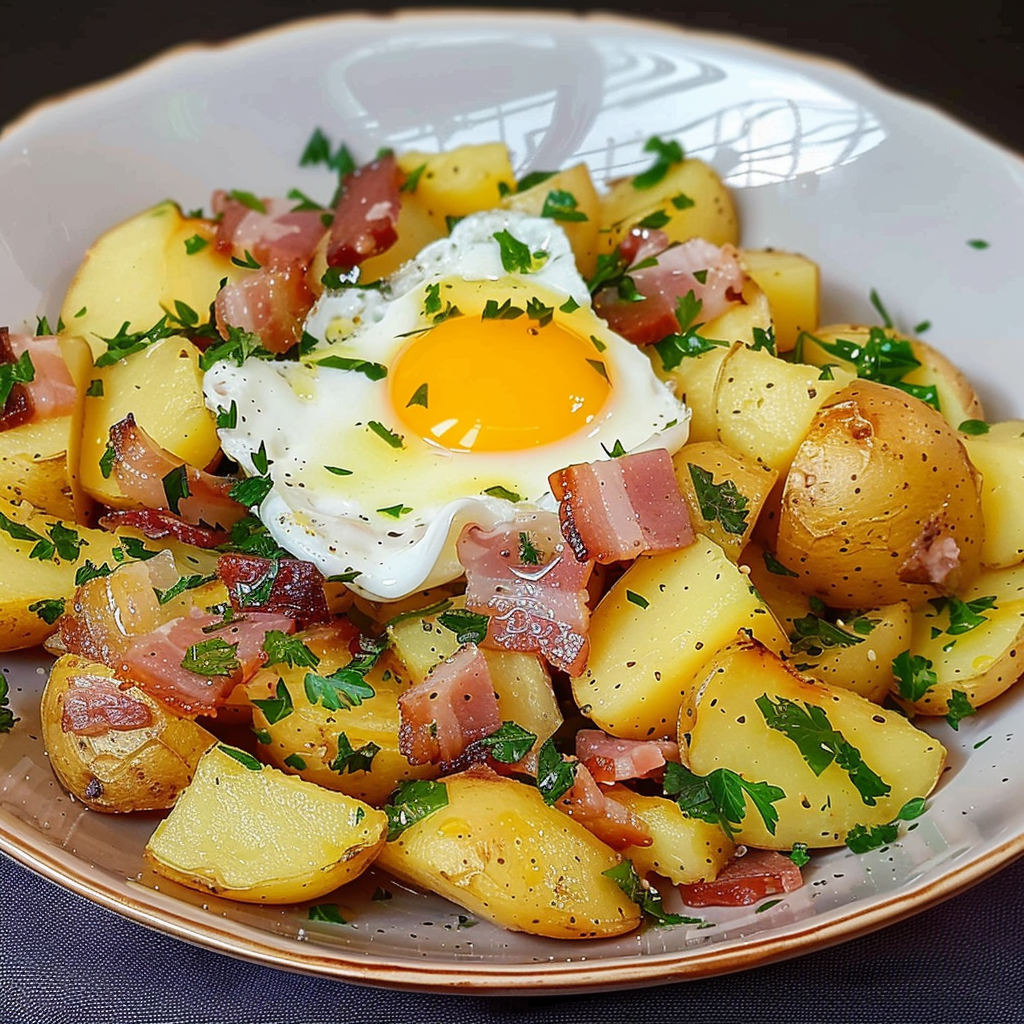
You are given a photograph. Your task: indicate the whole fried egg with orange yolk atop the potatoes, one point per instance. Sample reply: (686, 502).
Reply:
(445, 399)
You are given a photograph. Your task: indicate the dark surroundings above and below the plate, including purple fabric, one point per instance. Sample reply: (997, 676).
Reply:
(64, 960)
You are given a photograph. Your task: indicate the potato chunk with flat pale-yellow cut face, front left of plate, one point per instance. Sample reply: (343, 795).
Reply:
(253, 834)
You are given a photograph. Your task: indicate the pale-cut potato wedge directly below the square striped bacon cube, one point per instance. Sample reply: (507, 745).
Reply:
(657, 629)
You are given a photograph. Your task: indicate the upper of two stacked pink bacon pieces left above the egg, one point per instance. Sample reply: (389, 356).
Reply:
(278, 234)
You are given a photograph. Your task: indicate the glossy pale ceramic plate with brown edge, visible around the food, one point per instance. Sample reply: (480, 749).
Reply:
(884, 193)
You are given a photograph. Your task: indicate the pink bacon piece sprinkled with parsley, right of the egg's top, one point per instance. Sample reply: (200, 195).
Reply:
(677, 271)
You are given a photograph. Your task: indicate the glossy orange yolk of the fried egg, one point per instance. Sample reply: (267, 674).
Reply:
(498, 386)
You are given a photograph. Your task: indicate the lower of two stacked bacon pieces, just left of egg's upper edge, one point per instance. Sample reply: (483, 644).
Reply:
(272, 303)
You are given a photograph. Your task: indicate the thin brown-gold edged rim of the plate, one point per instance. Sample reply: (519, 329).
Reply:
(59, 865)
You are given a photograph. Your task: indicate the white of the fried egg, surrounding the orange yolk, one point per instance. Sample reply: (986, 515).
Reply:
(346, 497)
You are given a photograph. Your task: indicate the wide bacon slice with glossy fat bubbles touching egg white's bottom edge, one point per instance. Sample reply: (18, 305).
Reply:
(537, 605)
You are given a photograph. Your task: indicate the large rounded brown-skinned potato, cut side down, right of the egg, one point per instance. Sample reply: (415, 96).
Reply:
(878, 479)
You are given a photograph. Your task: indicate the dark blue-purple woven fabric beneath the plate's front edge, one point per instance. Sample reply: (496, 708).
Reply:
(64, 961)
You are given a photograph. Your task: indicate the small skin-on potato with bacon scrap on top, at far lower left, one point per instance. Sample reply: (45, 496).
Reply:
(125, 770)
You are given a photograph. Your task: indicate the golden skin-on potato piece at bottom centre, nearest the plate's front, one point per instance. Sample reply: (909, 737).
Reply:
(500, 851)
